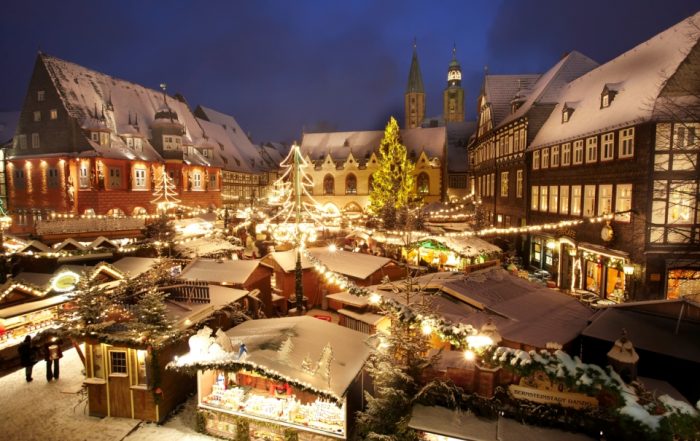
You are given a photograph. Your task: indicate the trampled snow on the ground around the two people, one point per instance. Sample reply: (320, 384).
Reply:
(41, 411)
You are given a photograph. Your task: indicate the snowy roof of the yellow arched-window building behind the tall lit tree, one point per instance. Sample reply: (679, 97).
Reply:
(362, 144)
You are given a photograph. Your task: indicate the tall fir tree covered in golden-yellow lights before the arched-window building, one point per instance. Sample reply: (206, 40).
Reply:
(392, 185)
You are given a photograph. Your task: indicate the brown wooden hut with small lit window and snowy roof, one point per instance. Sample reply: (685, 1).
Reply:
(125, 361)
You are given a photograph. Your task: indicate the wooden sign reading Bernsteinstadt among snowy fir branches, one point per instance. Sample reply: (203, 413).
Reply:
(540, 389)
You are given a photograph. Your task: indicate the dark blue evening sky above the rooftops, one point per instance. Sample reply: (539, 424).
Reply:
(280, 66)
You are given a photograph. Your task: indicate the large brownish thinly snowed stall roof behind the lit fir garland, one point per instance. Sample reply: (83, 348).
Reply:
(523, 312)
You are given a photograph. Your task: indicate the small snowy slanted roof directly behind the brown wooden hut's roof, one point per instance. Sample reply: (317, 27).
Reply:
(220, 271)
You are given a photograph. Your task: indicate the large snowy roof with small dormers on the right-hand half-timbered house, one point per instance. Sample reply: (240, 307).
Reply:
(638, 76)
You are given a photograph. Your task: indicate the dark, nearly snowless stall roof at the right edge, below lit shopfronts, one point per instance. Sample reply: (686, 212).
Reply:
(652, 326)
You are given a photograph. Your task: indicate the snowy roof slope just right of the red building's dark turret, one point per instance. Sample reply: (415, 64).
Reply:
(240, 144)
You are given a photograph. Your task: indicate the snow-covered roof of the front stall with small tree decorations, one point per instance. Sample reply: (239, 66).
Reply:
(309, 336)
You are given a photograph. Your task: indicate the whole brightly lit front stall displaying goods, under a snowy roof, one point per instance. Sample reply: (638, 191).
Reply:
(268, 379)
